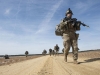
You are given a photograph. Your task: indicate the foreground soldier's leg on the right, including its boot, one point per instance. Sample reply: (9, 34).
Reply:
(75, 51)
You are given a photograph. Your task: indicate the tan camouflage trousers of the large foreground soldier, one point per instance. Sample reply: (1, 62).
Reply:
(69, 40)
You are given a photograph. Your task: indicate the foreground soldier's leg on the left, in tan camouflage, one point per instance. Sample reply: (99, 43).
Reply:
(66, 49)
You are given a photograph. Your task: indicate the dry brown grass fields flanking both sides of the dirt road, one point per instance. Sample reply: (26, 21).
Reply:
(87, 54)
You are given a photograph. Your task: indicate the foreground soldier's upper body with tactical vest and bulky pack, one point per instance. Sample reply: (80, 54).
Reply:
(63, 27)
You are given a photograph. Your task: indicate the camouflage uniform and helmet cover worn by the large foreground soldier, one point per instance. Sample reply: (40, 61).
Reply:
(69, 38)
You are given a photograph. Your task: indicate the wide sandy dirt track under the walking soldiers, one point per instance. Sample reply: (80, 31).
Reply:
(47, 65)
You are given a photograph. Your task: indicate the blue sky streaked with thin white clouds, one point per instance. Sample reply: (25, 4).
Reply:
(30, 24)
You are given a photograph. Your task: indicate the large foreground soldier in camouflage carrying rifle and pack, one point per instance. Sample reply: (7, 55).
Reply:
(67, 29)
